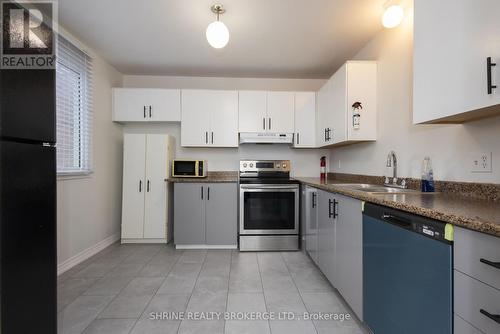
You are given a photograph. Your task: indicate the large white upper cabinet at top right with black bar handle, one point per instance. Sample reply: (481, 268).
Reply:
(452, 42)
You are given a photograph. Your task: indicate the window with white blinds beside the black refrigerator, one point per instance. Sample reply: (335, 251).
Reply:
(74, 109)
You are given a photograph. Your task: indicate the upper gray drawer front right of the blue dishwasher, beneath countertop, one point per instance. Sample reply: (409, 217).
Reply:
(469, 248)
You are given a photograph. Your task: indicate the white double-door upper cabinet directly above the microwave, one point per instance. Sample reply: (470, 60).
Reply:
(209, 118)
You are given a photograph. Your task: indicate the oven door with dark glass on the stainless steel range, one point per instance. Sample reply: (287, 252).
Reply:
(269, 209)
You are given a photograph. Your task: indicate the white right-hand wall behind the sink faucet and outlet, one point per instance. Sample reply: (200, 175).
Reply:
(449, 146)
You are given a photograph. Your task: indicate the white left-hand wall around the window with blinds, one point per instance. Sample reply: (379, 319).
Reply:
(89, 208)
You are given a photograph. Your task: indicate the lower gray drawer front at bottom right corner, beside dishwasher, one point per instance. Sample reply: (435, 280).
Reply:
(471, 296)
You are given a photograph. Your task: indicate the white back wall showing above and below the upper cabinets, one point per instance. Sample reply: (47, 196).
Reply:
(305, 162)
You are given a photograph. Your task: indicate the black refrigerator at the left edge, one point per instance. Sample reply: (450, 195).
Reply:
(28, 256)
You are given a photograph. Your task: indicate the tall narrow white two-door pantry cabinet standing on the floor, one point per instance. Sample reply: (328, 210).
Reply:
(146, 163)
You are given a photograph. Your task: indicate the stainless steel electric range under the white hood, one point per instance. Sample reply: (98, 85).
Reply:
(269, 206)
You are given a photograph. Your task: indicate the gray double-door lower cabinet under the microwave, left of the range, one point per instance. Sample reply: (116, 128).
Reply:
(205, 214)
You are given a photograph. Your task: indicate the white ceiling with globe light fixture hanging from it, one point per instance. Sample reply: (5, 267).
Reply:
(268, 38)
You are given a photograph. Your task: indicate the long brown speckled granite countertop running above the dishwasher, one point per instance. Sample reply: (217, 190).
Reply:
(473, 213)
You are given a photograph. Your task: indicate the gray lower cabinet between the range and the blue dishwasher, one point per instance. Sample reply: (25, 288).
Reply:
(334, 236)
